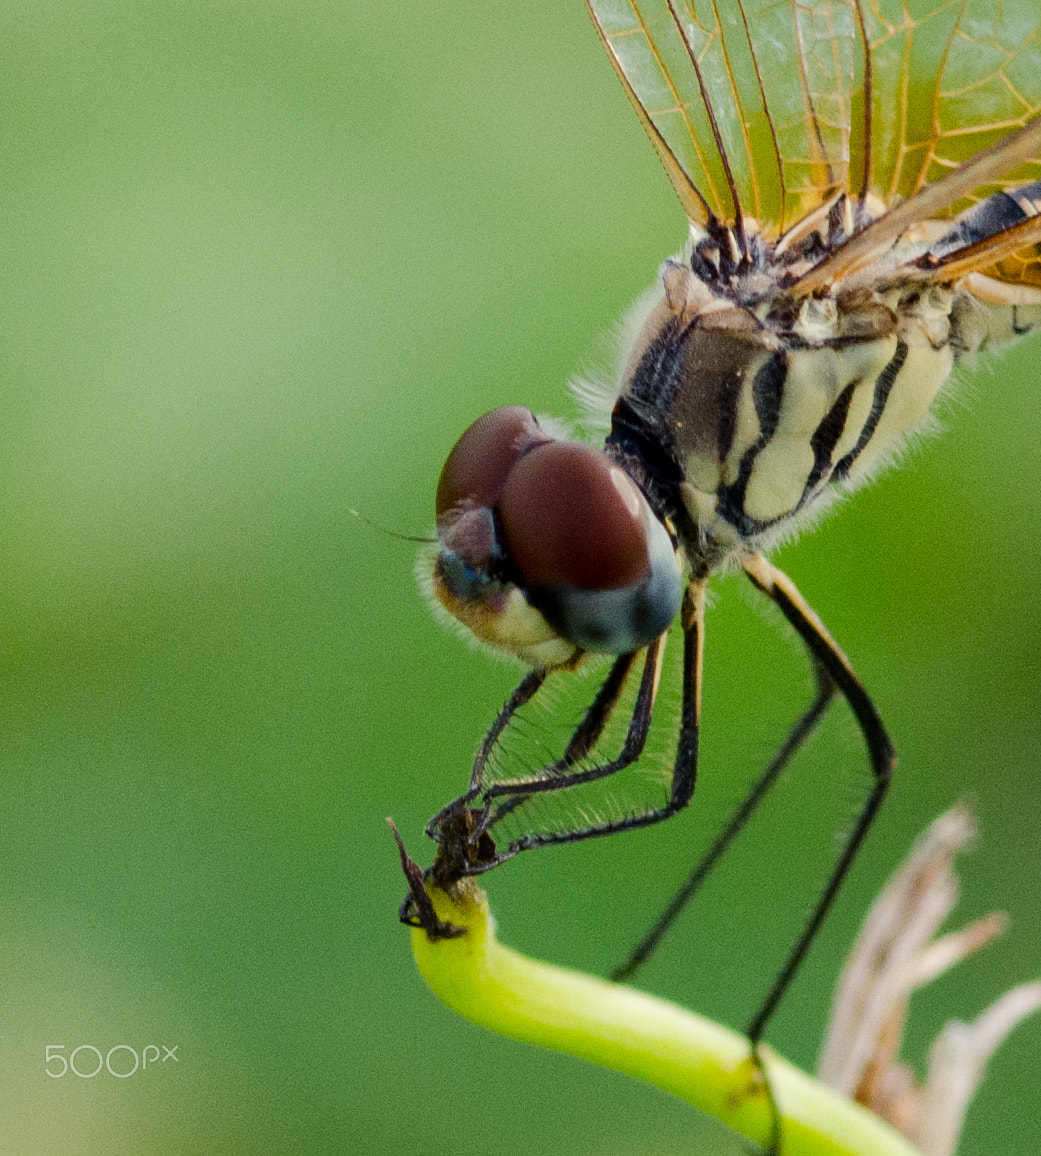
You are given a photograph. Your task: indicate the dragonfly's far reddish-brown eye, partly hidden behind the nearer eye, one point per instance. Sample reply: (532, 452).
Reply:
(484, 457)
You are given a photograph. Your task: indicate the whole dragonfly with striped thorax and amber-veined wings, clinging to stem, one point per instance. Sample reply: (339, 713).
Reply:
(862, 181)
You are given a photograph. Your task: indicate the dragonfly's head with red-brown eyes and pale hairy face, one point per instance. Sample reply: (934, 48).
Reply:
(548, 549)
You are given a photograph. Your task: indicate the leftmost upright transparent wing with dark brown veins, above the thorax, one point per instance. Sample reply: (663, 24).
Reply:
(749, 105)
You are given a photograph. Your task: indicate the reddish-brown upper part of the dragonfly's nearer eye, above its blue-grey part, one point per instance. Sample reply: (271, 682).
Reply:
(570, 516)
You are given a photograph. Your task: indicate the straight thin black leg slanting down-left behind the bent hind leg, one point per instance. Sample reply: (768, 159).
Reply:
(797, 737)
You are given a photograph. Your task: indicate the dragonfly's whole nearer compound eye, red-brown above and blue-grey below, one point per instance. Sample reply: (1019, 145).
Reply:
(590, 554)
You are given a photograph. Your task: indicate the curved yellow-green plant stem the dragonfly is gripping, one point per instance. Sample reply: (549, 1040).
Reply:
(701, 1062)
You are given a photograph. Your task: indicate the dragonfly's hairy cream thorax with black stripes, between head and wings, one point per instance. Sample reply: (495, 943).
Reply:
(745, 411)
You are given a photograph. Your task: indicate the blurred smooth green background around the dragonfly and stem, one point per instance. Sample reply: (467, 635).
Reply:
(263, 263)
